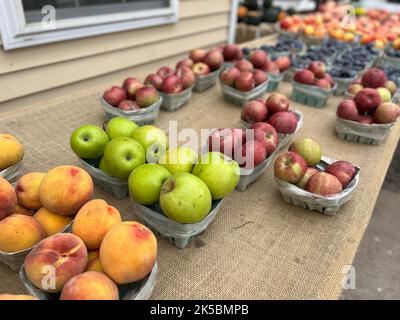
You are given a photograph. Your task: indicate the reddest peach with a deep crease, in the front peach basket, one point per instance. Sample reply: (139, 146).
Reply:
(55, 260)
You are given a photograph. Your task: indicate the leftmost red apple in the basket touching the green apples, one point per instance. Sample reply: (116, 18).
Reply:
(227, 141)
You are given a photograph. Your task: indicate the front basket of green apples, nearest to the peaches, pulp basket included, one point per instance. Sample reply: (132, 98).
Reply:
(179, 197)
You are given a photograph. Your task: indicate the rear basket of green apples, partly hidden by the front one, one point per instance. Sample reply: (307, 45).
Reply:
(111, 155)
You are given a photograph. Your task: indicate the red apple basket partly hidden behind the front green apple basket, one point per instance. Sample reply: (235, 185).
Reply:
(252, 149)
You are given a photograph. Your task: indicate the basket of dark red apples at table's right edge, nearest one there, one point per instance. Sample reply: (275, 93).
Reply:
(365, 118)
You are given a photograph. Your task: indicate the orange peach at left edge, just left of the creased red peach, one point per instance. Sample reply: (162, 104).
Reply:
(18, 232)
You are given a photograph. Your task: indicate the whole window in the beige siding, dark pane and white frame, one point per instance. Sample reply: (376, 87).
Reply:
(32, 22)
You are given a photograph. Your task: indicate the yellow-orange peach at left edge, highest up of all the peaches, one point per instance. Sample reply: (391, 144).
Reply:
(12, 151)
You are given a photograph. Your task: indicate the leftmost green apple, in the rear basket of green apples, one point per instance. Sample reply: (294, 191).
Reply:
(89, 142)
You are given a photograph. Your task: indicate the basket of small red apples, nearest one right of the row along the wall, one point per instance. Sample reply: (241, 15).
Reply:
(243, 83)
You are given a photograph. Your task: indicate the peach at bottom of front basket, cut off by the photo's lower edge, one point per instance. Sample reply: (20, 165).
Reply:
(90, 285)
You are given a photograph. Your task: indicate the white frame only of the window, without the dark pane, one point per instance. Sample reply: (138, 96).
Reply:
(17, 33)
